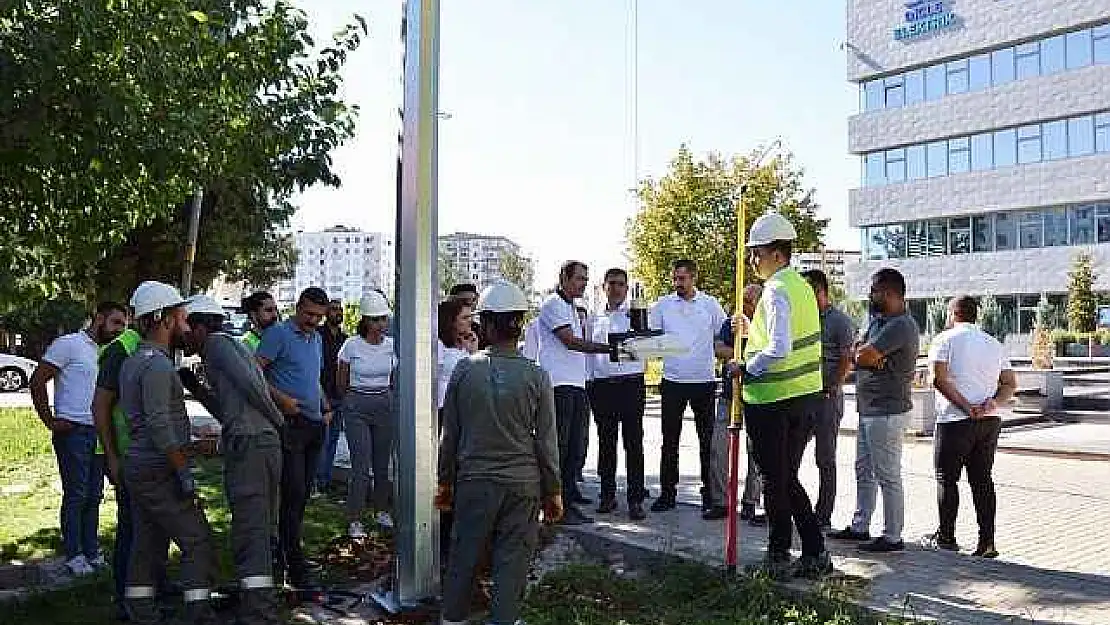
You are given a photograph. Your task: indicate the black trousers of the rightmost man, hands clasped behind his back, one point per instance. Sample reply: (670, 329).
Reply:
(971, 443)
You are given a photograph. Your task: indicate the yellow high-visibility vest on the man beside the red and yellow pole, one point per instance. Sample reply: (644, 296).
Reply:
(800, 374)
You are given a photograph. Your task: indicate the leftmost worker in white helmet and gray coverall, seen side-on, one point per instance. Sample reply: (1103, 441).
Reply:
(157, 470)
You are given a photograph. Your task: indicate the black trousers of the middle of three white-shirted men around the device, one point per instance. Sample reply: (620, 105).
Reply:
(619, 405)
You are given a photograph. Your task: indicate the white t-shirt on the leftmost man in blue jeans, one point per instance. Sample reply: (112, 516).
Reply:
(75, 356)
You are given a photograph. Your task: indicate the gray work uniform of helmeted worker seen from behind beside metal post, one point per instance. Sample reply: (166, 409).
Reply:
(500, 451)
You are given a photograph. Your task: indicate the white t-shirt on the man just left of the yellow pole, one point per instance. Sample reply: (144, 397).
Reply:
(695, 322)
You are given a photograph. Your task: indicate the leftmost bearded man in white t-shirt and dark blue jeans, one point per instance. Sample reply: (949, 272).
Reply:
(72, 364)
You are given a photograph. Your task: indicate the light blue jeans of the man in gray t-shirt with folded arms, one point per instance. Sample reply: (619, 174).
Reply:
(879, 466)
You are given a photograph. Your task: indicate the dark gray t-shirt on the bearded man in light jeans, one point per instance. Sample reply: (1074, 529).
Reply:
(886, 391)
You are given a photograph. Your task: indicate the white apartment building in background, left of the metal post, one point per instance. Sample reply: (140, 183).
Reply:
(346, 263)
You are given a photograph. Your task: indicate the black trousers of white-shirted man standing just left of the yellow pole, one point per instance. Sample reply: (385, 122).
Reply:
(675, 397)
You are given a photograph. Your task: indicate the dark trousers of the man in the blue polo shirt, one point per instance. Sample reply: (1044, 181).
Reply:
(302, 441)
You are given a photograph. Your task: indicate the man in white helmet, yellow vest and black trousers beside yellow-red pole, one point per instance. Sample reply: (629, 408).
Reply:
(782, 391)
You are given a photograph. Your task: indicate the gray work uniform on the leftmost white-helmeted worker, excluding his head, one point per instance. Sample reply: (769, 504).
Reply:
(154, 399)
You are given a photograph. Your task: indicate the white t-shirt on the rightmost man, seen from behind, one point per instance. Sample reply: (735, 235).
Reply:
(975, 361)
